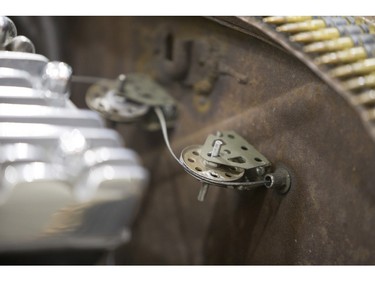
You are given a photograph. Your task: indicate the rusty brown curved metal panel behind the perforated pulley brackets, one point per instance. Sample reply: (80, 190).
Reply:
(285, 111)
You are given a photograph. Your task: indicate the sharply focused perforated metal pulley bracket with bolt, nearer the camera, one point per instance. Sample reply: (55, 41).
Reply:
(227, 160)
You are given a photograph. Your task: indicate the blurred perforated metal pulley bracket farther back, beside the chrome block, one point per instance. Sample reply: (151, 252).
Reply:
(131, 98)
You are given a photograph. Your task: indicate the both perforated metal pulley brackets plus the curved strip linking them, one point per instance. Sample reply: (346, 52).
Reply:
(225, 160)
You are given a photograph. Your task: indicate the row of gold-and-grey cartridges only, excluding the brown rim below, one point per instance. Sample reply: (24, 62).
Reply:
(343, 48)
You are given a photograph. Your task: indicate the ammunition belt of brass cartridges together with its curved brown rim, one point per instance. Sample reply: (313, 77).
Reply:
(340, 50)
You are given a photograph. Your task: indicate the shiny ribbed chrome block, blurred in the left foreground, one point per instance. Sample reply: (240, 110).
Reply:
(62, 174)
